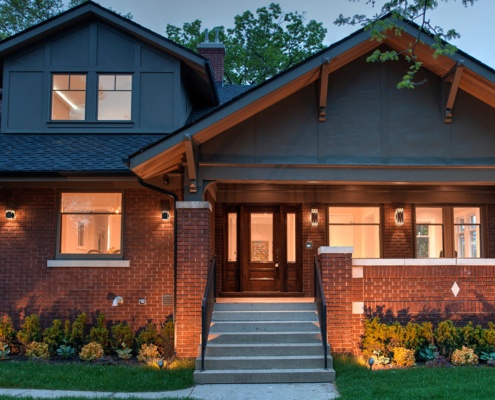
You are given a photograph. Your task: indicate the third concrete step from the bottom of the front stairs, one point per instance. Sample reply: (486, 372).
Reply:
(260, 349)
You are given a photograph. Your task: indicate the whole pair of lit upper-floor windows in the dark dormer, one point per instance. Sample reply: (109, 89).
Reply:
(76, 98)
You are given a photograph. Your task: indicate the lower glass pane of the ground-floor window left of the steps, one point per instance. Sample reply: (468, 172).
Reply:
(90, 234)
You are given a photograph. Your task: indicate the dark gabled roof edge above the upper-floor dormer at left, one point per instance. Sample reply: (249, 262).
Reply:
(196, 67)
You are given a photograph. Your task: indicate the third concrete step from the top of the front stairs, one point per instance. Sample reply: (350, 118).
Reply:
(264, 326)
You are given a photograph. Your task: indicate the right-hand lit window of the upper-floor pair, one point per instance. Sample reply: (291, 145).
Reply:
(114, 97)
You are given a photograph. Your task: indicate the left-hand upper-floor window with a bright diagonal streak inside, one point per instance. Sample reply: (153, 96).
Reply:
(68, 97)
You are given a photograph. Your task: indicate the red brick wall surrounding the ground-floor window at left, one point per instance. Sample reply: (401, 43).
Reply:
(28, 286)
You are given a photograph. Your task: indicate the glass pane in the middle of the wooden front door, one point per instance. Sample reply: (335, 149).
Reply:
(261, 238)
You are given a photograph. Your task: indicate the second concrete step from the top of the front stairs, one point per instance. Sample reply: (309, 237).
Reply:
(271, 315)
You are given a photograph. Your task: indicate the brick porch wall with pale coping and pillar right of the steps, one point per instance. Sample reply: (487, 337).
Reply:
(402, 290)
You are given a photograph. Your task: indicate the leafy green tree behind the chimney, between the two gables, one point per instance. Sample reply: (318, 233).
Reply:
(258, 46)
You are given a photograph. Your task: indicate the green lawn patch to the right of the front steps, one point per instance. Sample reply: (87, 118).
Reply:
(355, 381)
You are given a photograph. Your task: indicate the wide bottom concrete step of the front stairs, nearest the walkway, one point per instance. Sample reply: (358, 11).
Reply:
(264, 376)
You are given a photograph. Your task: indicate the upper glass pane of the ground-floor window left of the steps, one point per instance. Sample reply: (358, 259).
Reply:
(91, 203)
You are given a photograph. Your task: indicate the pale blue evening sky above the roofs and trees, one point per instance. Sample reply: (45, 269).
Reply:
(474, 23)
